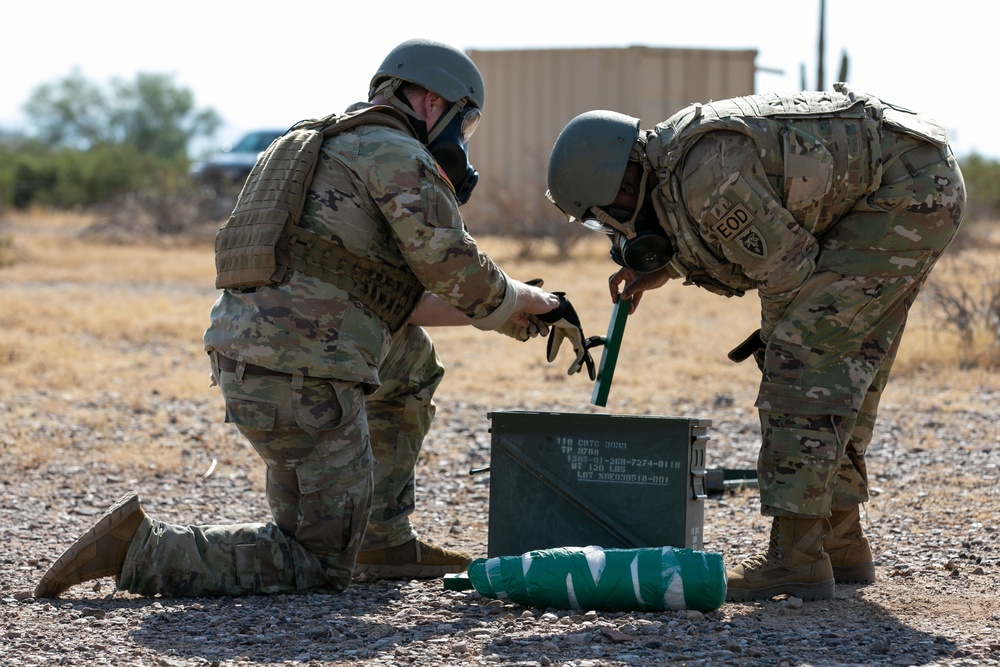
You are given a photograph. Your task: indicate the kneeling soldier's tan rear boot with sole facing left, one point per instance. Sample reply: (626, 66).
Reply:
(100, 552)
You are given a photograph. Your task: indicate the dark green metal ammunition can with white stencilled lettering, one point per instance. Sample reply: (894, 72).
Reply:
(615, 481)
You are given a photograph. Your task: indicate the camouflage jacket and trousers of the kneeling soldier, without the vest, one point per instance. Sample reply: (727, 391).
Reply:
(341, 427)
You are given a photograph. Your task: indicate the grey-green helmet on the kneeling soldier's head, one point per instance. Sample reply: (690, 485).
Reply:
(440, 68)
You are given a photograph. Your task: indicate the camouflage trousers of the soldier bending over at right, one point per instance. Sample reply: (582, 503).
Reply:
(828, 360)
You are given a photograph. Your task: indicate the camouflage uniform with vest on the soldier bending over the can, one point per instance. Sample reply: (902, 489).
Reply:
(835, 207)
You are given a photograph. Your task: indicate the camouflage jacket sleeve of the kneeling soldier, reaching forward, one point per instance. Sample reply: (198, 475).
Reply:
(424, 221)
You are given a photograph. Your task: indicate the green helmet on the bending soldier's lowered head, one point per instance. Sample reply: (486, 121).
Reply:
(588, 160)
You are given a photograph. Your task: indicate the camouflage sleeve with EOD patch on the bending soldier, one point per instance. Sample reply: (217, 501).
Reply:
(725, 189)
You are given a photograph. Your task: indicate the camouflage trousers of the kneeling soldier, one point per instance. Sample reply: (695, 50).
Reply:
(313, 434)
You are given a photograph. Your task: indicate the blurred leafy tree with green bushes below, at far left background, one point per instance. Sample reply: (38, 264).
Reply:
(90, 144)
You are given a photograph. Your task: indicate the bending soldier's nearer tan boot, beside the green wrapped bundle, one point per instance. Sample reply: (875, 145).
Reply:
(794, 564)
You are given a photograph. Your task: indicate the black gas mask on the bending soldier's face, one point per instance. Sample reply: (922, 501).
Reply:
(638, 242)
